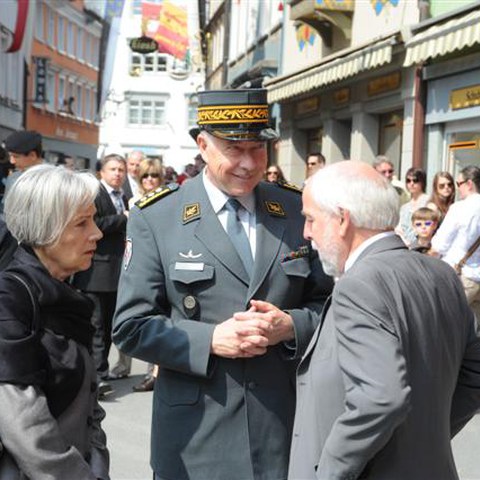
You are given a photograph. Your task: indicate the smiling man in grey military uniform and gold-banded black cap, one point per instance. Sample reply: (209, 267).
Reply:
(220, 289)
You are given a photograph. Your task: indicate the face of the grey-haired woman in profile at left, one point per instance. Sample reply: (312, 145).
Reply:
(75, 248)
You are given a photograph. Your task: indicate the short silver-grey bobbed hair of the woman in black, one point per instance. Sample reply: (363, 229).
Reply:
(44, 199)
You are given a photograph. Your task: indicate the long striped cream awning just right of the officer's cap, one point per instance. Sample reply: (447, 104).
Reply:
(330, 70)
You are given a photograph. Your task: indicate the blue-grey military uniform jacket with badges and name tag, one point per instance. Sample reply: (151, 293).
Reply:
(214, 417)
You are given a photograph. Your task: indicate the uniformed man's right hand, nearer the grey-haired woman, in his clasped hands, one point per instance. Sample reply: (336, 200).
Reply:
(229, 336)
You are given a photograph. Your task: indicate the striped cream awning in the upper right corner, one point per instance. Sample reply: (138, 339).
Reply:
(445, 38)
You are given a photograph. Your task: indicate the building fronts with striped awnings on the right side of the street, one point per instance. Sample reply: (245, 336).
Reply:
(344, 83)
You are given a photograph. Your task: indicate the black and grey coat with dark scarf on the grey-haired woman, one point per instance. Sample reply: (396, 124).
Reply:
(47, 378)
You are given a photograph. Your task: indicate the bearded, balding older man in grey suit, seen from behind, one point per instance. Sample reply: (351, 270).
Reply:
(392, 373)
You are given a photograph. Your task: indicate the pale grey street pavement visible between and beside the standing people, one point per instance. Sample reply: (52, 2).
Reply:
(128, 432)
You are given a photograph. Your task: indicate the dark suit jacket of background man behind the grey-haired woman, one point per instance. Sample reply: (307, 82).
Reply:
(103, 274)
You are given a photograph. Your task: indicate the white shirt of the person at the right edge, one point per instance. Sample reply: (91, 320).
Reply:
(458, 232)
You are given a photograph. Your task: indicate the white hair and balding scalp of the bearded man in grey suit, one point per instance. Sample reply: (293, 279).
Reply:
(372, 201)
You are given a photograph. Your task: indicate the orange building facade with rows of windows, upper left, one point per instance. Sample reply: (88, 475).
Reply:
(64, 74)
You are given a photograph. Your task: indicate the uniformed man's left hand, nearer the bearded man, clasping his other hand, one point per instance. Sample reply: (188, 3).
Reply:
(280, 323)
